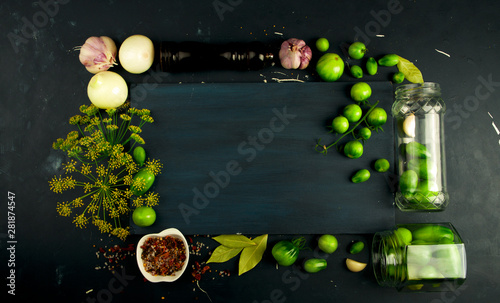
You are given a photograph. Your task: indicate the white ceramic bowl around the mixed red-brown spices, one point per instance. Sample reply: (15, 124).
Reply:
(167, 232)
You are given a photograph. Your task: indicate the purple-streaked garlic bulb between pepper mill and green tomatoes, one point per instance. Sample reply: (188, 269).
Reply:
(295, 54)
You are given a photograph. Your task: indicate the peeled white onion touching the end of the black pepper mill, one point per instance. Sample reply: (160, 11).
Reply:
(136, 54)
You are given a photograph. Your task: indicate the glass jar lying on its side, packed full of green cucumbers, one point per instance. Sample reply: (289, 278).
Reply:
(419, 257)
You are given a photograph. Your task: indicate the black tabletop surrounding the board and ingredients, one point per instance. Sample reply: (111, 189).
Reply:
(42, 84)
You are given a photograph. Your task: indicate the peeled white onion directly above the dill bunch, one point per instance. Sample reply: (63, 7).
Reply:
(107, 90)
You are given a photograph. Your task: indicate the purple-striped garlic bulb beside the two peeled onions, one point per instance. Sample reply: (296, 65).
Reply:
(98, 54)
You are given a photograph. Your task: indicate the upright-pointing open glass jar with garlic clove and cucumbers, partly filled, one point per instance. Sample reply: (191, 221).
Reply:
(418, 113)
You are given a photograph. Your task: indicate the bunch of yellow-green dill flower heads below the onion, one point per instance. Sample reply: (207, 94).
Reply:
(107, 195)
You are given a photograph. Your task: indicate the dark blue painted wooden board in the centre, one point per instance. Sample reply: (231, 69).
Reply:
(240, 158)
